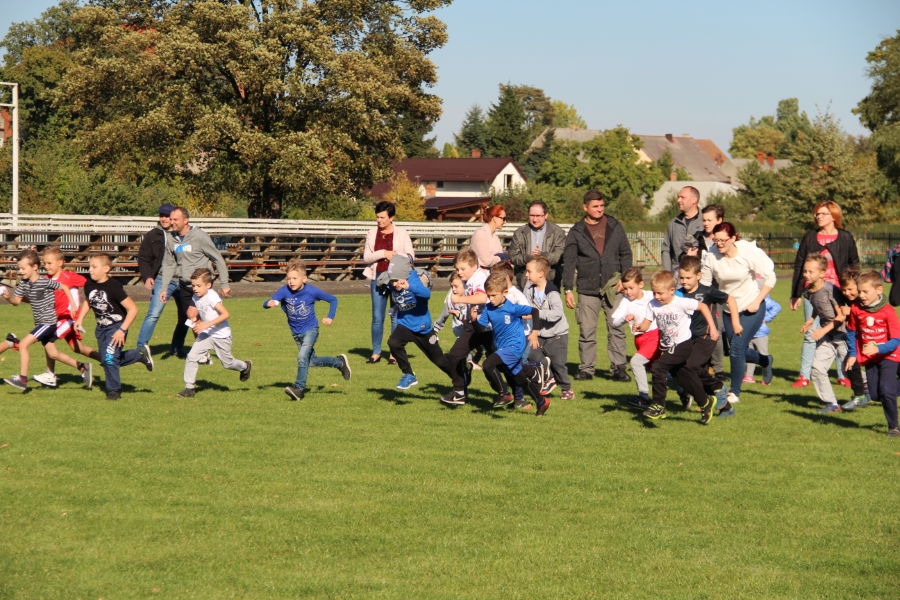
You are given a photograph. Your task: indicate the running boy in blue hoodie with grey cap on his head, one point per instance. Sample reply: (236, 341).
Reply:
(413, 320)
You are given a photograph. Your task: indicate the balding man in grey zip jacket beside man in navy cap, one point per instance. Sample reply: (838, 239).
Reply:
(188, 248)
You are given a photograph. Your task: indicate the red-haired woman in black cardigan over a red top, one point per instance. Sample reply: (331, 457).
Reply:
(839, 249)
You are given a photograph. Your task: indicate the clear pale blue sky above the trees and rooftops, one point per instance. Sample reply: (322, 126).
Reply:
(695, 66)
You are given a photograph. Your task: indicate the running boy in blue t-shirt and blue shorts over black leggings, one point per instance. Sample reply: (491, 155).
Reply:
(506, 320)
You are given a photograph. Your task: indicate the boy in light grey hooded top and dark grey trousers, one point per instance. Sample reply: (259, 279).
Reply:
(553, 335)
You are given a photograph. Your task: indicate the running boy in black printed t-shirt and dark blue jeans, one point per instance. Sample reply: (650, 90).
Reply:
(115, 312)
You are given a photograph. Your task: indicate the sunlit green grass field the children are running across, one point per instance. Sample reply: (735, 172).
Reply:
(361, 491)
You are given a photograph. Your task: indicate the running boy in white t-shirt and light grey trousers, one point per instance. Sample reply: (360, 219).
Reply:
(209, 320)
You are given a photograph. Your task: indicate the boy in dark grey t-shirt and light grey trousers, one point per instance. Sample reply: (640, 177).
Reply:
(830, 340)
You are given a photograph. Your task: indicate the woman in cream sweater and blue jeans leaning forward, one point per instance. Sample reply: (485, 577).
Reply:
(733, 265)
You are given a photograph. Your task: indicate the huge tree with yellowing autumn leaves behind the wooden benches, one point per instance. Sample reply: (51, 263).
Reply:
(281, 101)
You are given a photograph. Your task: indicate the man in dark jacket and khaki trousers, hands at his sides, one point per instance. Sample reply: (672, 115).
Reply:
(597, 249)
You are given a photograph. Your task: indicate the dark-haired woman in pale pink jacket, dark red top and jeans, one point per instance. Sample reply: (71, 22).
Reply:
(382, 242)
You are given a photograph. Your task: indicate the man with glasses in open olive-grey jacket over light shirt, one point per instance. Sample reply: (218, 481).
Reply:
(539, 237)
